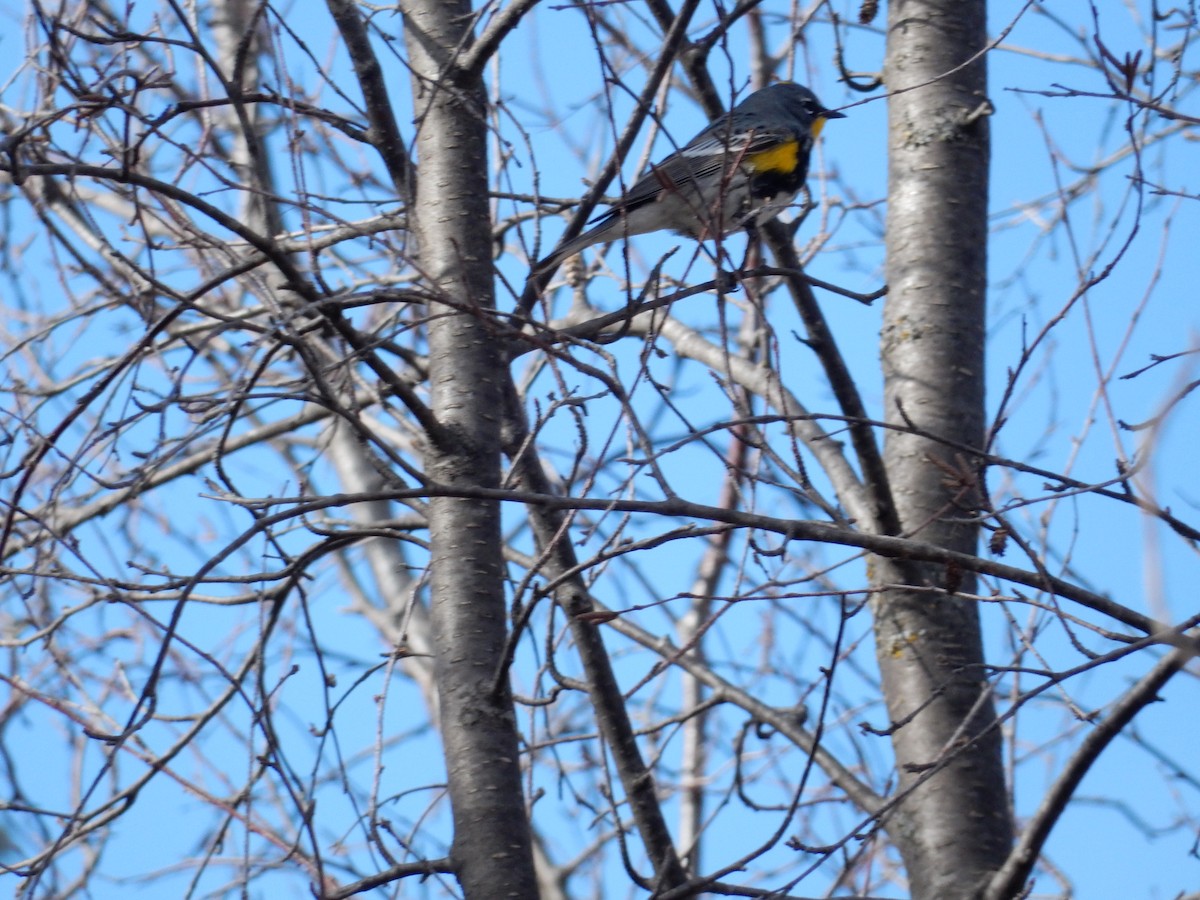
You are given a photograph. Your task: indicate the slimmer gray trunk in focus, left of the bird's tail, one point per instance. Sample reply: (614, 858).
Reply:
(491, 850)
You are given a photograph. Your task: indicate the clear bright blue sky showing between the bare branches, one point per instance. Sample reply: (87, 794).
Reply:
(1059, 419)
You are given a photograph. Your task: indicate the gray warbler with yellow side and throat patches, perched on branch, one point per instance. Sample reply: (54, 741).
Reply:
(737, 173)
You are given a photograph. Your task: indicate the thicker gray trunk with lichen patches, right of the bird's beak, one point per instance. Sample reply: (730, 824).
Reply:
(953, 826)
